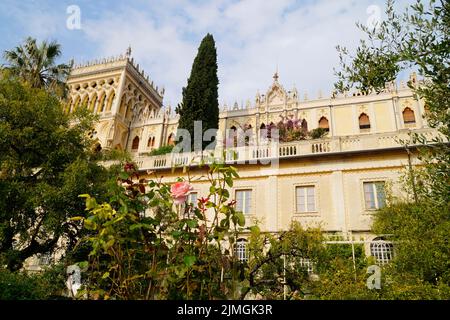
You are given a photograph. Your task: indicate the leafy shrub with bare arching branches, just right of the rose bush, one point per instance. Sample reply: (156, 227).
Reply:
(276, 258)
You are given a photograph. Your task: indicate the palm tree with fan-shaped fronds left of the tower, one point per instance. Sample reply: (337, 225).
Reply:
(35, 64)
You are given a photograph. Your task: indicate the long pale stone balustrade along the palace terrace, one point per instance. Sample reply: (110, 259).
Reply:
(252, 154)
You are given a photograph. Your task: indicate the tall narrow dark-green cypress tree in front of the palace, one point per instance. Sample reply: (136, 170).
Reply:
(200, 96)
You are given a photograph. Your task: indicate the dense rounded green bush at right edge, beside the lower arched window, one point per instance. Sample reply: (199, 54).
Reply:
(421, 233)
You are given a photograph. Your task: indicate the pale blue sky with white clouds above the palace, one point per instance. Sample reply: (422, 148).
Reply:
(253, 37)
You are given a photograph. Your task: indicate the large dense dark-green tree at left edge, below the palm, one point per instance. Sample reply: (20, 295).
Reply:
(45, 163)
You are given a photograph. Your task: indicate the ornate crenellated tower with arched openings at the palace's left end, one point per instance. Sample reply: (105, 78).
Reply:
(119, 92)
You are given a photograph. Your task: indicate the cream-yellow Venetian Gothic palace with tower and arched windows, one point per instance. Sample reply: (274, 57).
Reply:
(337, 181)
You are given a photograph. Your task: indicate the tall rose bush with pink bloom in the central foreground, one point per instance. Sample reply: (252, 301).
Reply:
(144, 247)
